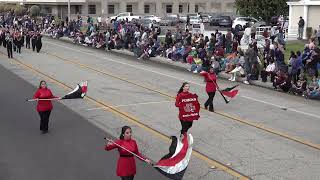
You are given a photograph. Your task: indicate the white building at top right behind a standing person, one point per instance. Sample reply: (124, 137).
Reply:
(309, 10)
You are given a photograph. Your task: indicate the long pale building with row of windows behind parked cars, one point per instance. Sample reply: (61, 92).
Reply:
(112, 7)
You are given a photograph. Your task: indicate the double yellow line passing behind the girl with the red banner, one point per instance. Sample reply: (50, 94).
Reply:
(252, 124)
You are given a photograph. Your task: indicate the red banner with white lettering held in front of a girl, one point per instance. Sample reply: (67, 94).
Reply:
(189, 108)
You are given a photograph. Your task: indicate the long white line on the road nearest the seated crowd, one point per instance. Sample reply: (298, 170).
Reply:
(181, 79)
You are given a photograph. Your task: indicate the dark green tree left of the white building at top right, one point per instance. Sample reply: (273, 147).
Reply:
(262, 8)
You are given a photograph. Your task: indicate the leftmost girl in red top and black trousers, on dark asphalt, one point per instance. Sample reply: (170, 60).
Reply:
(44, 107)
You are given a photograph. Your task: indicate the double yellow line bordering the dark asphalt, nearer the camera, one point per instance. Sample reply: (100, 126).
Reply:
(135, 121)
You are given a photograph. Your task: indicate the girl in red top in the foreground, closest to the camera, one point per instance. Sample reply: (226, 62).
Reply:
(127, 148)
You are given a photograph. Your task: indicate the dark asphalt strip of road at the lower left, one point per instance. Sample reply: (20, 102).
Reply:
(72, 150)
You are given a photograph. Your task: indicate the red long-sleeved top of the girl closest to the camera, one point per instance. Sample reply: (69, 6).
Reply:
(126, 165)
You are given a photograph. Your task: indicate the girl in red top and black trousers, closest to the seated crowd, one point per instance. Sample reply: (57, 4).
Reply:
(211, 87)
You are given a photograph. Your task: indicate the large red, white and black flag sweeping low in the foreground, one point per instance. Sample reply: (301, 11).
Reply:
(174, 164)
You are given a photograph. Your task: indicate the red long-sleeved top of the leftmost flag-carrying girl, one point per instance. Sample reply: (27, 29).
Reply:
(44, 93)
